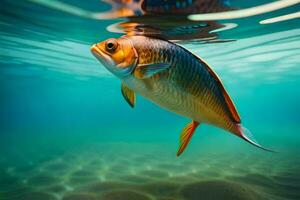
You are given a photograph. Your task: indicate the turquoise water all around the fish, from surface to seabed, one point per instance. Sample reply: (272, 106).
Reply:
(67, 133)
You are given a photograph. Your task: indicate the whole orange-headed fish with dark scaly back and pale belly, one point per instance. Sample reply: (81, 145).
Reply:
(173, 78)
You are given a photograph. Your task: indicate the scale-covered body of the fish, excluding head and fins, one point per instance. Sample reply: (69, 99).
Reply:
(186, 79)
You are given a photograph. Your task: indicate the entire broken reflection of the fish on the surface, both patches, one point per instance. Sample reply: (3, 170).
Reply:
(172, 17)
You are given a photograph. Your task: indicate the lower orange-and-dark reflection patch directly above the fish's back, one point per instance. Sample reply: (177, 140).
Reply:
(175, 29)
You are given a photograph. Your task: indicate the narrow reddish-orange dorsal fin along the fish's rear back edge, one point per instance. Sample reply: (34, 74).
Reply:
(229, 102)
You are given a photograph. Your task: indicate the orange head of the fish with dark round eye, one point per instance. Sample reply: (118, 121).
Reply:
(117, 55)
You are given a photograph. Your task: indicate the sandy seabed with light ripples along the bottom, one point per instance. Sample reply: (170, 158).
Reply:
(123, 171)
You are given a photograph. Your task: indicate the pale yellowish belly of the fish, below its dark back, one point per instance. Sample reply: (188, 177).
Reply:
(174, 99)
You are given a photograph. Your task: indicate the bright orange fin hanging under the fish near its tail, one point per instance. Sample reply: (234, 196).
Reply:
(186, 136)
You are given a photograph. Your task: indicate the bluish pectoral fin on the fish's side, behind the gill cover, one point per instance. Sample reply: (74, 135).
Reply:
(148, 70)
